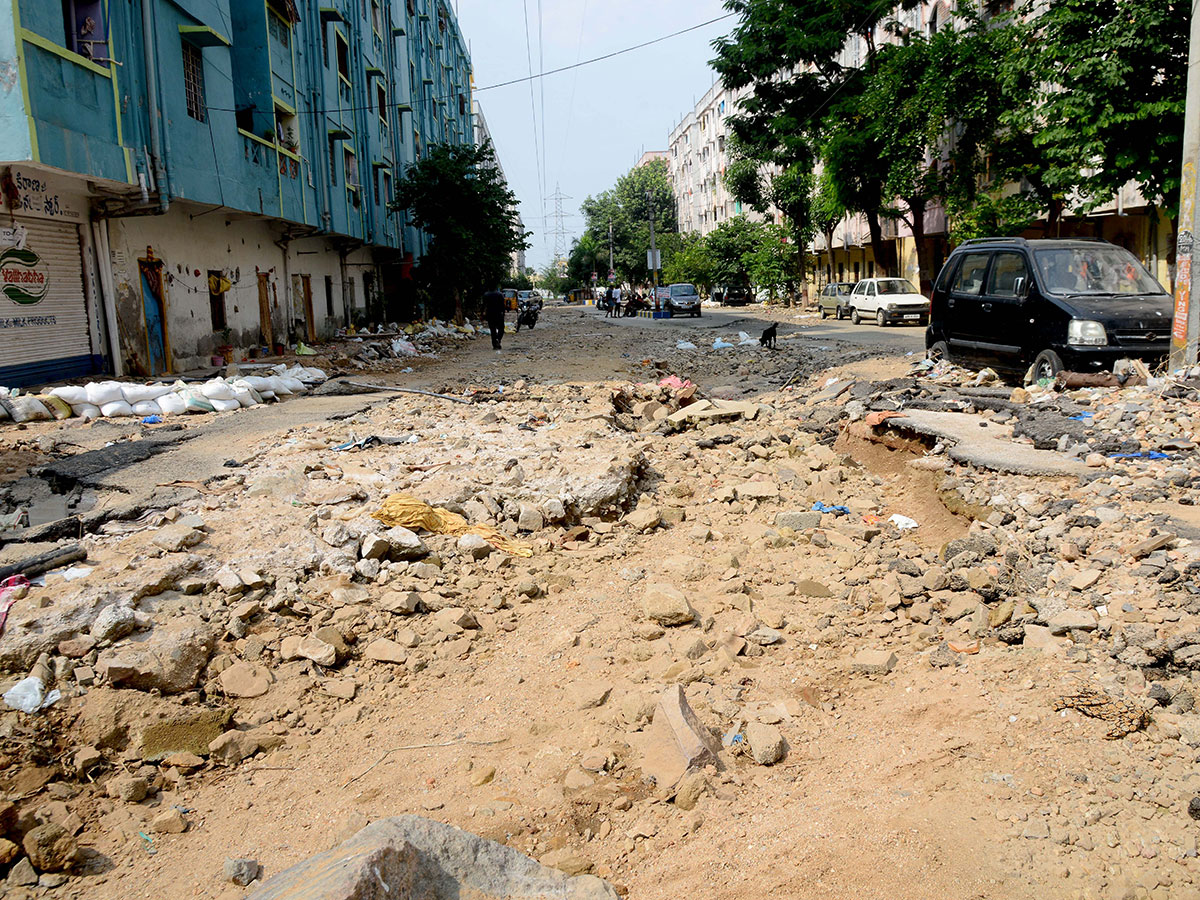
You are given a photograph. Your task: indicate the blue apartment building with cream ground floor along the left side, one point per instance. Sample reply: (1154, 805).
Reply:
(178, 177)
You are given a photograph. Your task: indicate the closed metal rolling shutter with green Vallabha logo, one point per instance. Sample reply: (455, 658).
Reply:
(33, 351)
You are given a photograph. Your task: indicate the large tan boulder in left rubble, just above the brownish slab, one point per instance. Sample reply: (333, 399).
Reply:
(169, 659)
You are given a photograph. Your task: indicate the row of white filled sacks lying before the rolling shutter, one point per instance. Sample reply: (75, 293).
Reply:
(155, 401)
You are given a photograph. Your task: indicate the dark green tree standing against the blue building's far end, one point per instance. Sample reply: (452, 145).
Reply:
(459, 199)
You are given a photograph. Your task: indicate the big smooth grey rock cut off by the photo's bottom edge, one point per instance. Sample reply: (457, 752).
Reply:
(415, 857)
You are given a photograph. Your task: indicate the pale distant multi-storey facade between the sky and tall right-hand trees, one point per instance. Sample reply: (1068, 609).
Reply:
(698, 157)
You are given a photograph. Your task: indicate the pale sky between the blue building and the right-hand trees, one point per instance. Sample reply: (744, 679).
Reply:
(599, 118)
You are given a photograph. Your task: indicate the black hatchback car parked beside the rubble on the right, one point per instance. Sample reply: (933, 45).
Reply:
(1078, 304)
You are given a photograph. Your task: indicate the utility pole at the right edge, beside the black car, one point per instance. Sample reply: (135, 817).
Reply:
(1186, 331)
